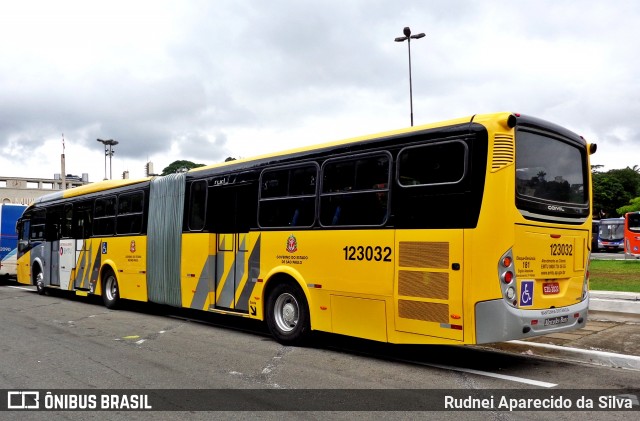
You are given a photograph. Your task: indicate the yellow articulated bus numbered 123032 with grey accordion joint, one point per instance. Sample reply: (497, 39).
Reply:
(469, 231)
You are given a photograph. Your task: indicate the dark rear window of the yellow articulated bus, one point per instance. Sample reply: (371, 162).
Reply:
(549, 169)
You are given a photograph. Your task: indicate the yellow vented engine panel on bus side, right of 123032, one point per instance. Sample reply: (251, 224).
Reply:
(428, 283)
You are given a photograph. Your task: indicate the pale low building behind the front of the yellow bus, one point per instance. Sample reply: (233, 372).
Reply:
(25, 190)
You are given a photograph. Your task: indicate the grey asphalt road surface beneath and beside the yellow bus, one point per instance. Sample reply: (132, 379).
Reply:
(68, 342)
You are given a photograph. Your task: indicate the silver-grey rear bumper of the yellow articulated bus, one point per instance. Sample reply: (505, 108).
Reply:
(496, 321)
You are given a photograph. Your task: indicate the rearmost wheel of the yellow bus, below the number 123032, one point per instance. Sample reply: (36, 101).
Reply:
(288, 314)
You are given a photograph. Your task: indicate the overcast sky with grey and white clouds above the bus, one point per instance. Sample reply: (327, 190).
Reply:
(203, 80)
